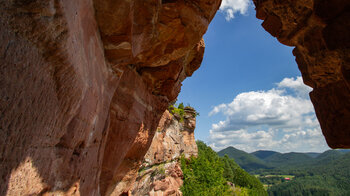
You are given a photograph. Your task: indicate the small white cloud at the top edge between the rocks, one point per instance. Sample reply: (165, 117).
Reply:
(231, 7)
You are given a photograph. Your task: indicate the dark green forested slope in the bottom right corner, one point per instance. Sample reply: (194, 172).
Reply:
(329, 178)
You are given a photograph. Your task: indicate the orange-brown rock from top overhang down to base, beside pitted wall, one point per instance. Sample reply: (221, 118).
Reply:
(156, 45)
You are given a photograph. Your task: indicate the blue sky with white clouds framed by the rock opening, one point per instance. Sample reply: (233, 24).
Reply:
(248, 89)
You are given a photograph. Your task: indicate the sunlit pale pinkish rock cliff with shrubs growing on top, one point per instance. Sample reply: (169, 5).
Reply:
(161, 172)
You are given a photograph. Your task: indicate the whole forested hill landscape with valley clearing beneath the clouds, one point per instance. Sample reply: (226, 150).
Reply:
(294, 174)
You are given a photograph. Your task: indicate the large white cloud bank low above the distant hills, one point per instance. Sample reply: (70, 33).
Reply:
(281, 119)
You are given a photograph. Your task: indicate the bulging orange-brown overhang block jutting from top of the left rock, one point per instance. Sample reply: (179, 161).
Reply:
(160, 39)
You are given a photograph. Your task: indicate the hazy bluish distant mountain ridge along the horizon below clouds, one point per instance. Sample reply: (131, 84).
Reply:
(265, 159)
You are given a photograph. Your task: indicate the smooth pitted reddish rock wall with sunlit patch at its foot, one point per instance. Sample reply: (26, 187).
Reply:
(55, 90)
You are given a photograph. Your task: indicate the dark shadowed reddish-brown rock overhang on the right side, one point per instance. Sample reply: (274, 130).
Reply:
(319, 30)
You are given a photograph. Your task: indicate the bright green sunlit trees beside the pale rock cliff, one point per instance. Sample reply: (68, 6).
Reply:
(208, 174)
